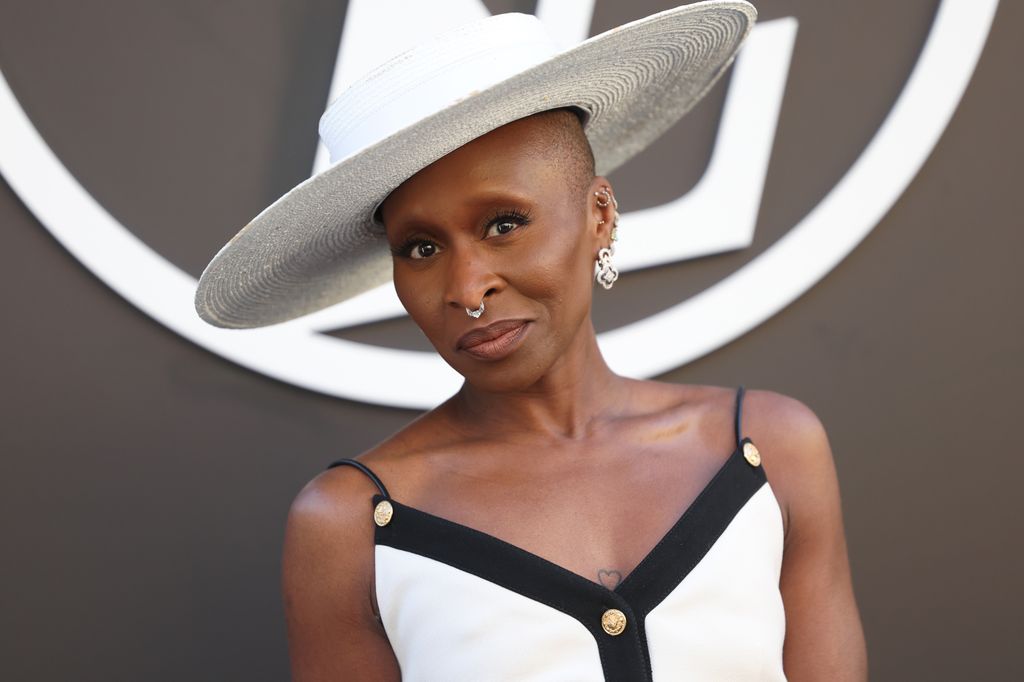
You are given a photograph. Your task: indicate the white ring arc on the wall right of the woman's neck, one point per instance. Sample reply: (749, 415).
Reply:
(839, 223)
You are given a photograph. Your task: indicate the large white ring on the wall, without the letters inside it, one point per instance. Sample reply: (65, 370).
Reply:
(295, 354)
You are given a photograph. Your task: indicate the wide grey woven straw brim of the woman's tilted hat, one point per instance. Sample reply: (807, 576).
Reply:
(319, 245)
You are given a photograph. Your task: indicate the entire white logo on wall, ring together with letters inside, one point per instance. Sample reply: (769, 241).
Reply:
(729, 195)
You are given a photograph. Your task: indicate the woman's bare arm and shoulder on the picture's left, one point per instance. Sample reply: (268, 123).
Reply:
(327, 583)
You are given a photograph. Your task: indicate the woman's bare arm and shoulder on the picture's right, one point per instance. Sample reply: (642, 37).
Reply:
(825, 638)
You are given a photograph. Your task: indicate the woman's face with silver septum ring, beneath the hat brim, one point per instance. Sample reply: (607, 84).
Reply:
(508, 221)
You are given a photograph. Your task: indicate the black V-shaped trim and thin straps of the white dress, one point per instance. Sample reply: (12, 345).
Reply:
(626, 657)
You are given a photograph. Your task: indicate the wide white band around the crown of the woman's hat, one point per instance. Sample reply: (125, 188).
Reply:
(386, 102)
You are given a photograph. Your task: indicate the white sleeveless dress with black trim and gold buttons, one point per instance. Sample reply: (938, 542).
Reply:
(705, 605)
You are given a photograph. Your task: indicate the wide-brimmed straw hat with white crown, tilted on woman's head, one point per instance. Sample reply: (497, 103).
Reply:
(320, 244)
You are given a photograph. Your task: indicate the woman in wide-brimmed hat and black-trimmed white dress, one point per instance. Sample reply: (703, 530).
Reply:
(551, 521)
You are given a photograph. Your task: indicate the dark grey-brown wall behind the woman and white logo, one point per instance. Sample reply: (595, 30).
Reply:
(146, 481)
